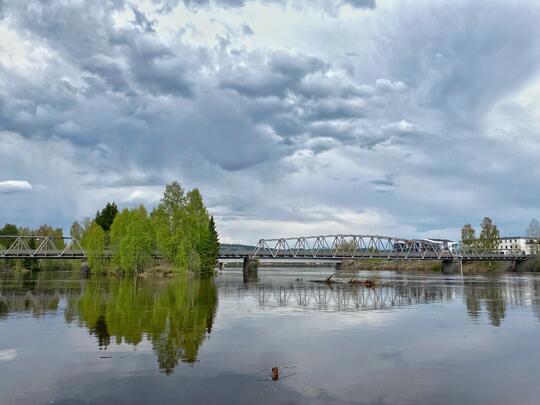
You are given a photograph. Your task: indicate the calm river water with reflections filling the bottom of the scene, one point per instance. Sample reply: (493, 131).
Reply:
(413, 339)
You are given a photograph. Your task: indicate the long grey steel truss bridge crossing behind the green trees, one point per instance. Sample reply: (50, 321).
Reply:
(308, 249)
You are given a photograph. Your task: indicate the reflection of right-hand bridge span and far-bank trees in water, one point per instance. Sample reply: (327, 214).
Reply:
(483, 295)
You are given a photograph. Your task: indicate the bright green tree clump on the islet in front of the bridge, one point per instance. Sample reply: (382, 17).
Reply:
(179, 229)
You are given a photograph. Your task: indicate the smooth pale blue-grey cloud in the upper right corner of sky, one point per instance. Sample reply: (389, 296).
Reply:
(453, 70)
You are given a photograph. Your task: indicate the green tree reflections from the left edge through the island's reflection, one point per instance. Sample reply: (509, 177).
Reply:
(175, 316)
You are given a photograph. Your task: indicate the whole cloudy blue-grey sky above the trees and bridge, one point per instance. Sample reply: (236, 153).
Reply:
(403, 118)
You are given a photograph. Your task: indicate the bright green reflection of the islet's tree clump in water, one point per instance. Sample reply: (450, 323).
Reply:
(175, 316)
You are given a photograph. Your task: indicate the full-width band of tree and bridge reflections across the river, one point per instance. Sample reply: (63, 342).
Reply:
(176, 316)
